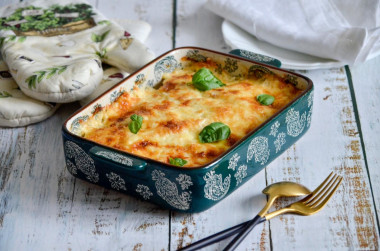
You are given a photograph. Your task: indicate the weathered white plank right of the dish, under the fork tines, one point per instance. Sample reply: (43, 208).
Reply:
(332, 144)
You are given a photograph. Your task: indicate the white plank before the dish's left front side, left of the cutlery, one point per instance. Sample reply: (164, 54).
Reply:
(108, 220)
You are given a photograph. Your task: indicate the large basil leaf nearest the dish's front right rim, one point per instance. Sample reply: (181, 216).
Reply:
(214, 132)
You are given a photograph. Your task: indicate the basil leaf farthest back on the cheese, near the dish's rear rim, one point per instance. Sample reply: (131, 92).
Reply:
(204, 80)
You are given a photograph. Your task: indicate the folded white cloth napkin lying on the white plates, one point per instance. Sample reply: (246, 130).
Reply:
(344, 30)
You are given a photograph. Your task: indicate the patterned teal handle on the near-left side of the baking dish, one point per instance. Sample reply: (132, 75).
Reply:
(116, 158)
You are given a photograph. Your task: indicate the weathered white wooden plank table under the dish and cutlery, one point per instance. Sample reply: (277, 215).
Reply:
(42, 207)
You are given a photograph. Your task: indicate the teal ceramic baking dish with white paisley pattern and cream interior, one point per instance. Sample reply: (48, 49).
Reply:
(191, 189)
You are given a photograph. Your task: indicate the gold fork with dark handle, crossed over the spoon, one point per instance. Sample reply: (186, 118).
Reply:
(311, 204)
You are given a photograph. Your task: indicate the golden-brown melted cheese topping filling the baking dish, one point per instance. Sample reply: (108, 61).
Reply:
(175, 114)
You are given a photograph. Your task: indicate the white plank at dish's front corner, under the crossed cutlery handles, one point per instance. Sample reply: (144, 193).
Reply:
(240, 206)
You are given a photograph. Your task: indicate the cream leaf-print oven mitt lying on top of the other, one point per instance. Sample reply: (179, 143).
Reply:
(66, 68)
